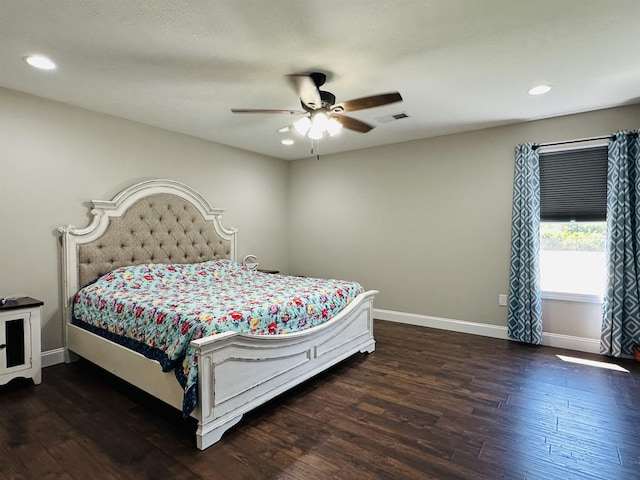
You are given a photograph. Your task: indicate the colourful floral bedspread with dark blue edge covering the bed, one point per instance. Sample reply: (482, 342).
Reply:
(157, 309)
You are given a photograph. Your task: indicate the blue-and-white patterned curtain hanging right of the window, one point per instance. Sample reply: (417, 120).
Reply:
(621, 311)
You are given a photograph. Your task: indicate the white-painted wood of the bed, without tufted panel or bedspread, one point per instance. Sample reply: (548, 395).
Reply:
(237, 372)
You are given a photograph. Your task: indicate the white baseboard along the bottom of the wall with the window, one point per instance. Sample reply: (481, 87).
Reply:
(581, 344)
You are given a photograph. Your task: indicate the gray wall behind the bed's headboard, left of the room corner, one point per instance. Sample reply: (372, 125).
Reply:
(54, 158)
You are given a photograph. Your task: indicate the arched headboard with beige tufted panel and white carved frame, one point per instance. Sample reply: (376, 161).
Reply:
(157, 221)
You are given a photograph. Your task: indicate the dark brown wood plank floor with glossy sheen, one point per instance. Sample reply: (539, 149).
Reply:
(427, 404)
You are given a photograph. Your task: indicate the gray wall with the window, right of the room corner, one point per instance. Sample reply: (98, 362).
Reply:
(428, 222)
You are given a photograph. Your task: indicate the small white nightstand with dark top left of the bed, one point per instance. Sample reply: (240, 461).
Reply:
(20, 340)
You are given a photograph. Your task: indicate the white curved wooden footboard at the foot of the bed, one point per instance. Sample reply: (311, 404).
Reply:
(240, 372)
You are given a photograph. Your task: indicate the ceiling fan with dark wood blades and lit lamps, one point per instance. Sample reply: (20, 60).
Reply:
(321, 112)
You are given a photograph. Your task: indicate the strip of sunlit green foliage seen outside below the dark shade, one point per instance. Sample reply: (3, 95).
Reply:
(576, 236)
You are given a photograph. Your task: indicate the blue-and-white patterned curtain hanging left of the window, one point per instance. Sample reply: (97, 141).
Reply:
(525, 306)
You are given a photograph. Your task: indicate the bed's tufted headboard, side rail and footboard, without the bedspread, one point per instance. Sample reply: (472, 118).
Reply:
(167, 223)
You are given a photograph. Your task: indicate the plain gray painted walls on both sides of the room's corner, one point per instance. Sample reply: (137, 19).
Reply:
(427, 223)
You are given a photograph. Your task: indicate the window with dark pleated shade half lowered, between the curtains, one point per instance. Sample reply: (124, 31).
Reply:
(573, 202)
